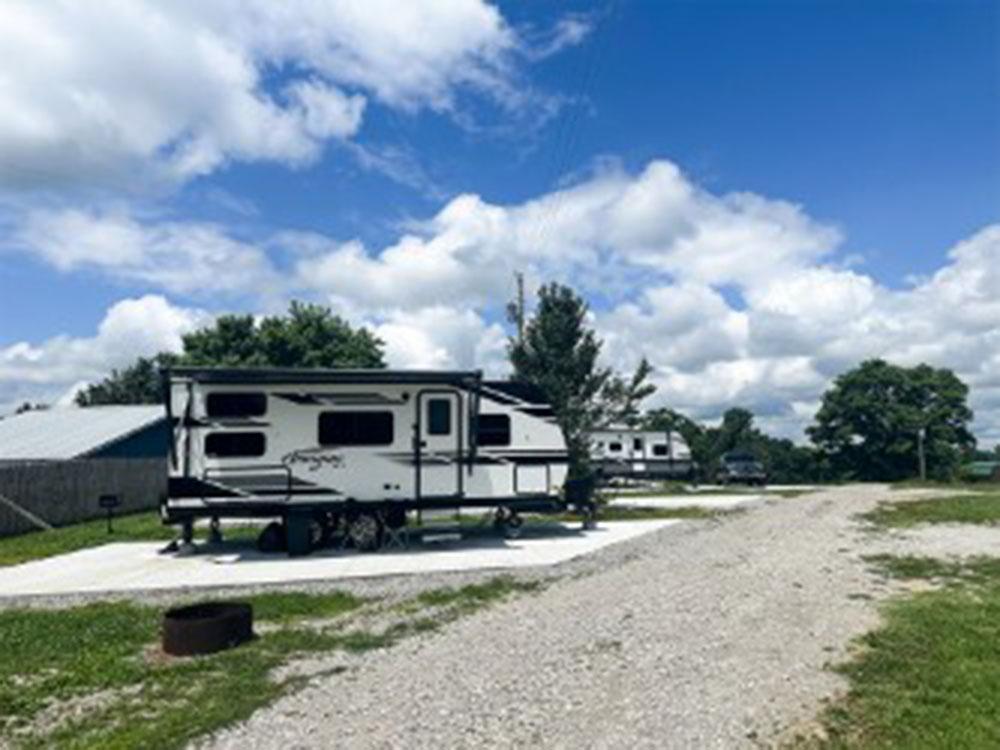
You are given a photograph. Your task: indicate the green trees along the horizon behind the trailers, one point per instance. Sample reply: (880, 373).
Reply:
(877, 422)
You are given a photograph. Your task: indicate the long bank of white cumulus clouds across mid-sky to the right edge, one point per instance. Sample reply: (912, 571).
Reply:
(736, 299)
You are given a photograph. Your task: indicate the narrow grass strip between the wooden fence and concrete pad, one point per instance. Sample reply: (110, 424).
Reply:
(38, 544)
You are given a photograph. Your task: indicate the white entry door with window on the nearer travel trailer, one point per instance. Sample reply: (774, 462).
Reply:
(439, 444)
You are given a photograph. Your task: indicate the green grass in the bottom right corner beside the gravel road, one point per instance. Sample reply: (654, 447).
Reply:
(930, 677)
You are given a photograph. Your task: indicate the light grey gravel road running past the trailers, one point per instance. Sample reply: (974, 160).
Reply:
(705, 635)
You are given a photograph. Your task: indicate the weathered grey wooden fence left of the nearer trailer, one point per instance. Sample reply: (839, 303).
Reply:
(66, 492)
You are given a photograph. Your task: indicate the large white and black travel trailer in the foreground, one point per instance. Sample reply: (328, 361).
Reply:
(353, 450)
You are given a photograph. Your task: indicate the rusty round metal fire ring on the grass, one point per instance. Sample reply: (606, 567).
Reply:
(206, 627)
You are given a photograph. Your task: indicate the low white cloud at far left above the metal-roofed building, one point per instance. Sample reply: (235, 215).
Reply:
(54, 369)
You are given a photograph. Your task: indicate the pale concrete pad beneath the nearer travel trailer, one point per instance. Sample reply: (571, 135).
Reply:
(139, 566)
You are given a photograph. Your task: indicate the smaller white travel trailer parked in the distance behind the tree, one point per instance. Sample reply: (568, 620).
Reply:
(640, 454)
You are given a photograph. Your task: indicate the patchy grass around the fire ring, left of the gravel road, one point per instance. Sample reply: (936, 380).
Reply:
(94, 677)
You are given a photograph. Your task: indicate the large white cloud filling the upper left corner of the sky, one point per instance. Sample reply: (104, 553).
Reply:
(170, 91)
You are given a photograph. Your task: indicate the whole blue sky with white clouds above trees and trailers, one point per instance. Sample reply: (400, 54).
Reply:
(866, 135)
